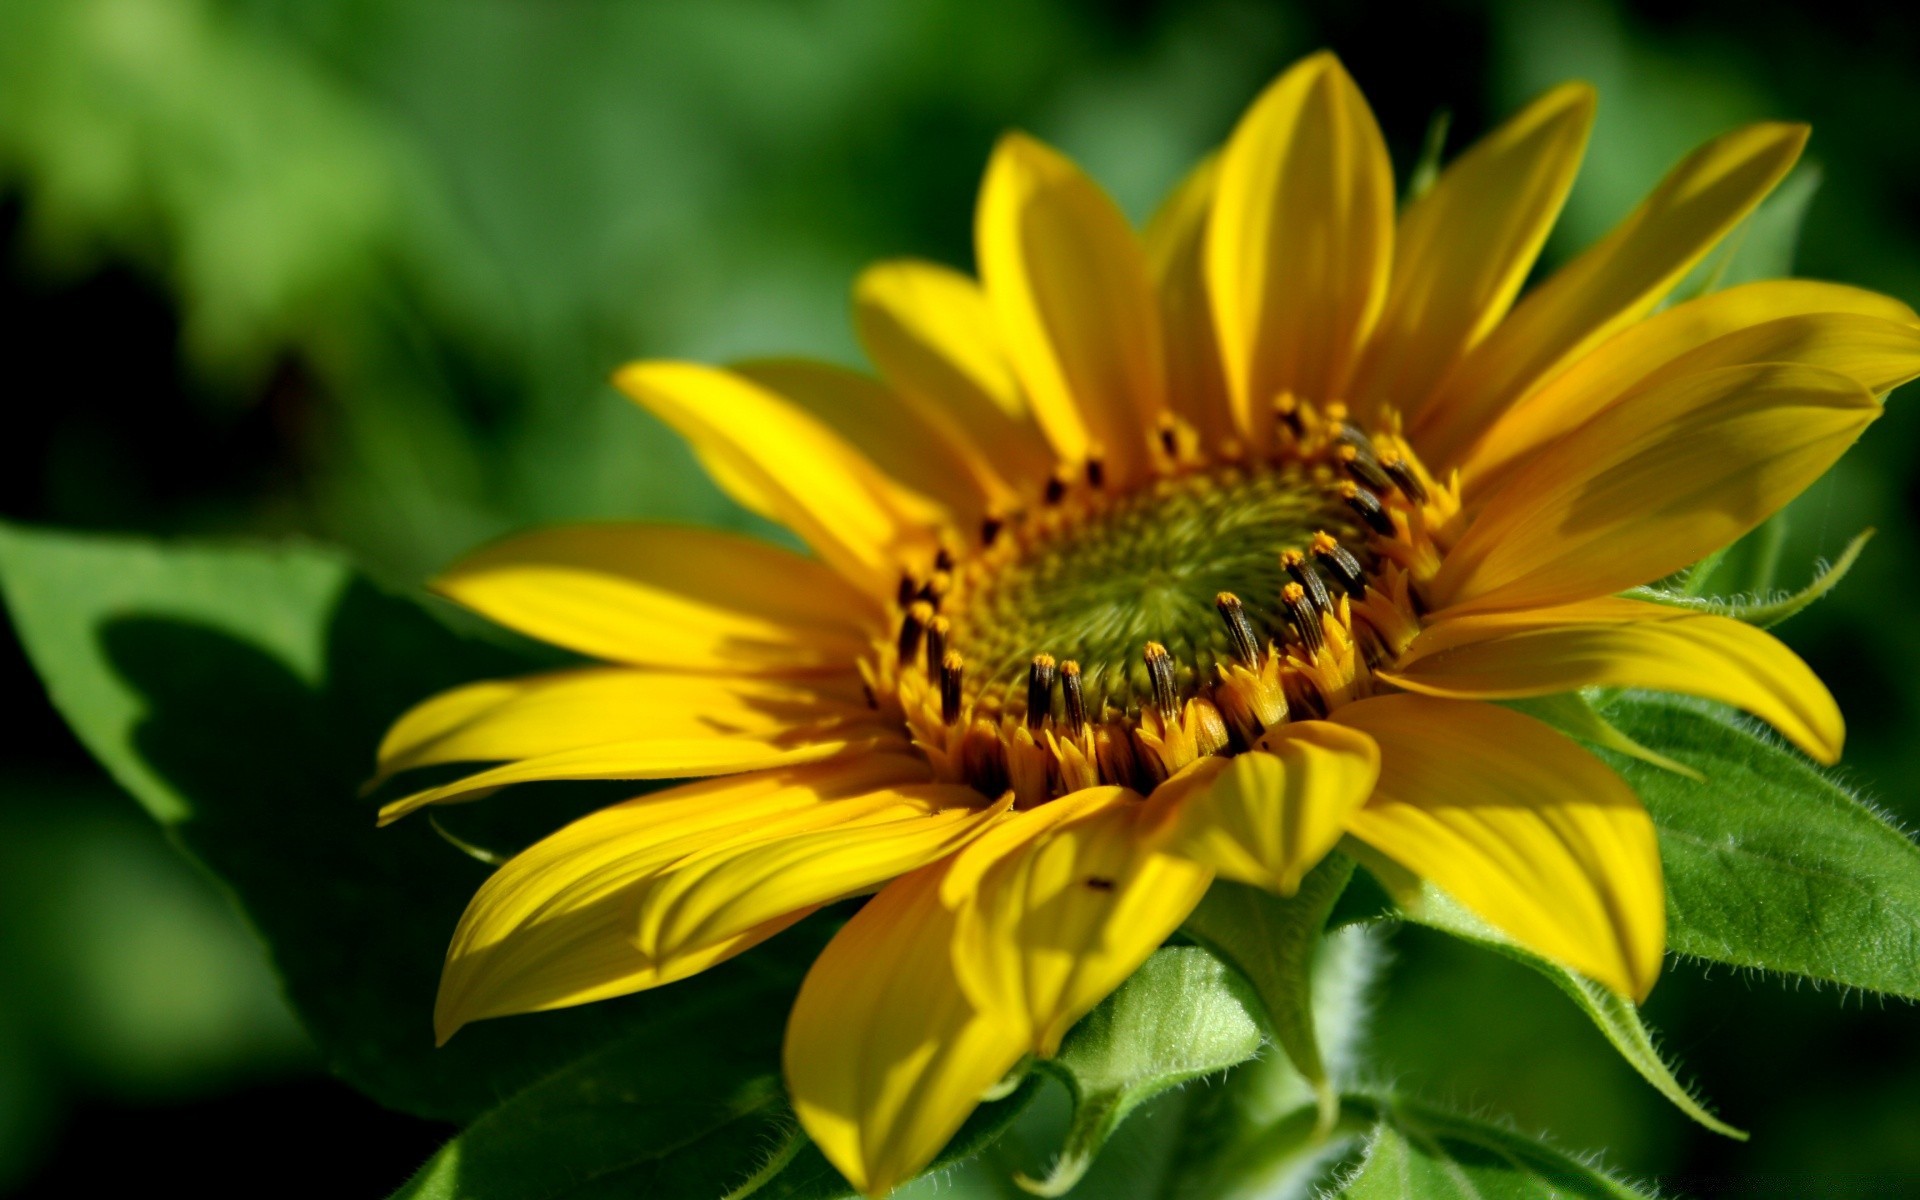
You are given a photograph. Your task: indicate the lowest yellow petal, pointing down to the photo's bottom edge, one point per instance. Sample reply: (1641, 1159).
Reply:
(886, 1053)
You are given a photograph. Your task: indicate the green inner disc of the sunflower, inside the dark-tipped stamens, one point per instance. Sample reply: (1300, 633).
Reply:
(1143, 567)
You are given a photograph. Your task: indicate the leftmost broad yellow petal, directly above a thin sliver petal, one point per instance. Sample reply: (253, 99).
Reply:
(496, 721)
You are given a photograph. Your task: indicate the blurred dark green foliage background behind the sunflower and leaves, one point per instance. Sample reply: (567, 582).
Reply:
(358, 272)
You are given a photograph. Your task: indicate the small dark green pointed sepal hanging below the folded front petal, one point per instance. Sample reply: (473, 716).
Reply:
(1270, 942)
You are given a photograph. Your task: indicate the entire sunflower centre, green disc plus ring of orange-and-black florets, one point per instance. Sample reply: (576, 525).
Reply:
(1116, 633)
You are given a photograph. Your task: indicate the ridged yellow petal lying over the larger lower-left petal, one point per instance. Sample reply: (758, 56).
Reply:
(721, 892)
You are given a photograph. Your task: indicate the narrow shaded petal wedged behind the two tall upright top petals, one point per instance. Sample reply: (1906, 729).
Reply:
(1176, 258)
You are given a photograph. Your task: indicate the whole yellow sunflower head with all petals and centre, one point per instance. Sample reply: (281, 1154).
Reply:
(1151, 560)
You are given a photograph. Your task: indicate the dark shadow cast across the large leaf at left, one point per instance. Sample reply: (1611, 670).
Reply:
(360, 917)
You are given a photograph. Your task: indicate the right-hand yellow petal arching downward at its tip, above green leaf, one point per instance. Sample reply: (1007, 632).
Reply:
(1629, 644)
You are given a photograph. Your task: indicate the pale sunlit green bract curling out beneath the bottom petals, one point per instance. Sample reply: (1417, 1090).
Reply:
(1182, 1017)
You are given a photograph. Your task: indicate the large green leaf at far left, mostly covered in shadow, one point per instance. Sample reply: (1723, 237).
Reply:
(239, 692)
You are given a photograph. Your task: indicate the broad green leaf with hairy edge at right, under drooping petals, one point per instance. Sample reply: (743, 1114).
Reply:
(1771, 863)
